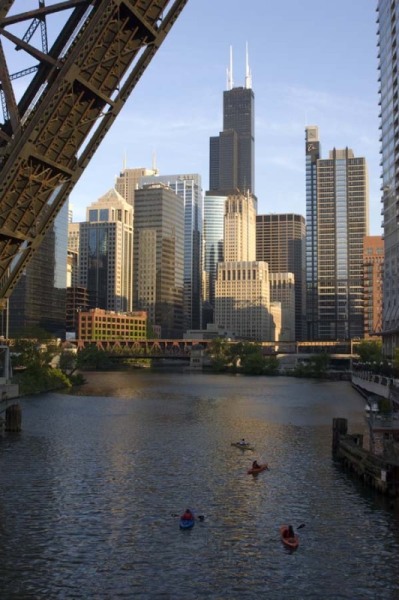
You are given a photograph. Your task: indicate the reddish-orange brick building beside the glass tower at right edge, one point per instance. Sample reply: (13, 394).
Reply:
(373, 274)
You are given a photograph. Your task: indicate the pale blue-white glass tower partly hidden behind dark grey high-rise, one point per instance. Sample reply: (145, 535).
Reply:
(188, 187)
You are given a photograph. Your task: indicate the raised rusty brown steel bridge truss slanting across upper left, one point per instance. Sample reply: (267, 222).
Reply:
(76, 89)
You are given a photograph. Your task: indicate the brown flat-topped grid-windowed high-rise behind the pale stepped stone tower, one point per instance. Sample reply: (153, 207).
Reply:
(280, 241)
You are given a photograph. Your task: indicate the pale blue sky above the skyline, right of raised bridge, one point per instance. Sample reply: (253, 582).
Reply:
(313, 63)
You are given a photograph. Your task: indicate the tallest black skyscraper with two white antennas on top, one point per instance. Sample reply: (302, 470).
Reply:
(231, 159)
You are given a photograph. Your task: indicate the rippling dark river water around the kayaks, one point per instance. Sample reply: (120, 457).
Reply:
(90, 488)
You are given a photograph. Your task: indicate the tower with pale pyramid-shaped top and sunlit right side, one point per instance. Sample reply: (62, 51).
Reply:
(105, 253)
